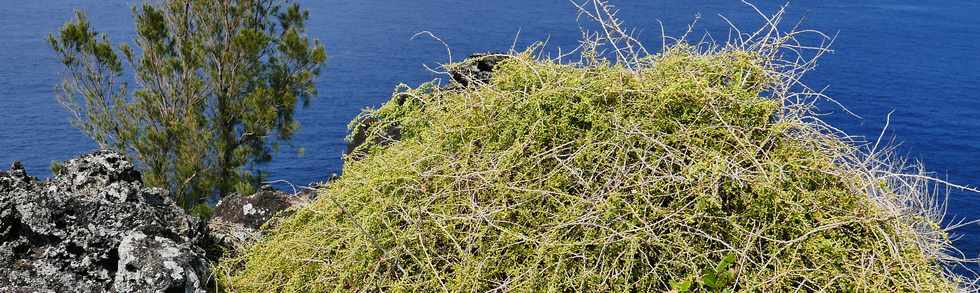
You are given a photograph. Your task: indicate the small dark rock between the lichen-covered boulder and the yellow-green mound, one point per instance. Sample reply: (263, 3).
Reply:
(237, 219)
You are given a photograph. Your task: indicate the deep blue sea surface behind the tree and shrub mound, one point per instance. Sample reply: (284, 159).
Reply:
(918, 60)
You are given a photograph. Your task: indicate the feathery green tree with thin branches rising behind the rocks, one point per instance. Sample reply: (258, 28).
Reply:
(205, 94)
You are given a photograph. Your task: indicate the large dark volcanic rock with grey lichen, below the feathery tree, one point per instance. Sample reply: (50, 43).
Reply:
(94, 227)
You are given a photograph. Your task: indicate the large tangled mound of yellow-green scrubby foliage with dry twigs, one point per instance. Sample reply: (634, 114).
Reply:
(557, 177)
